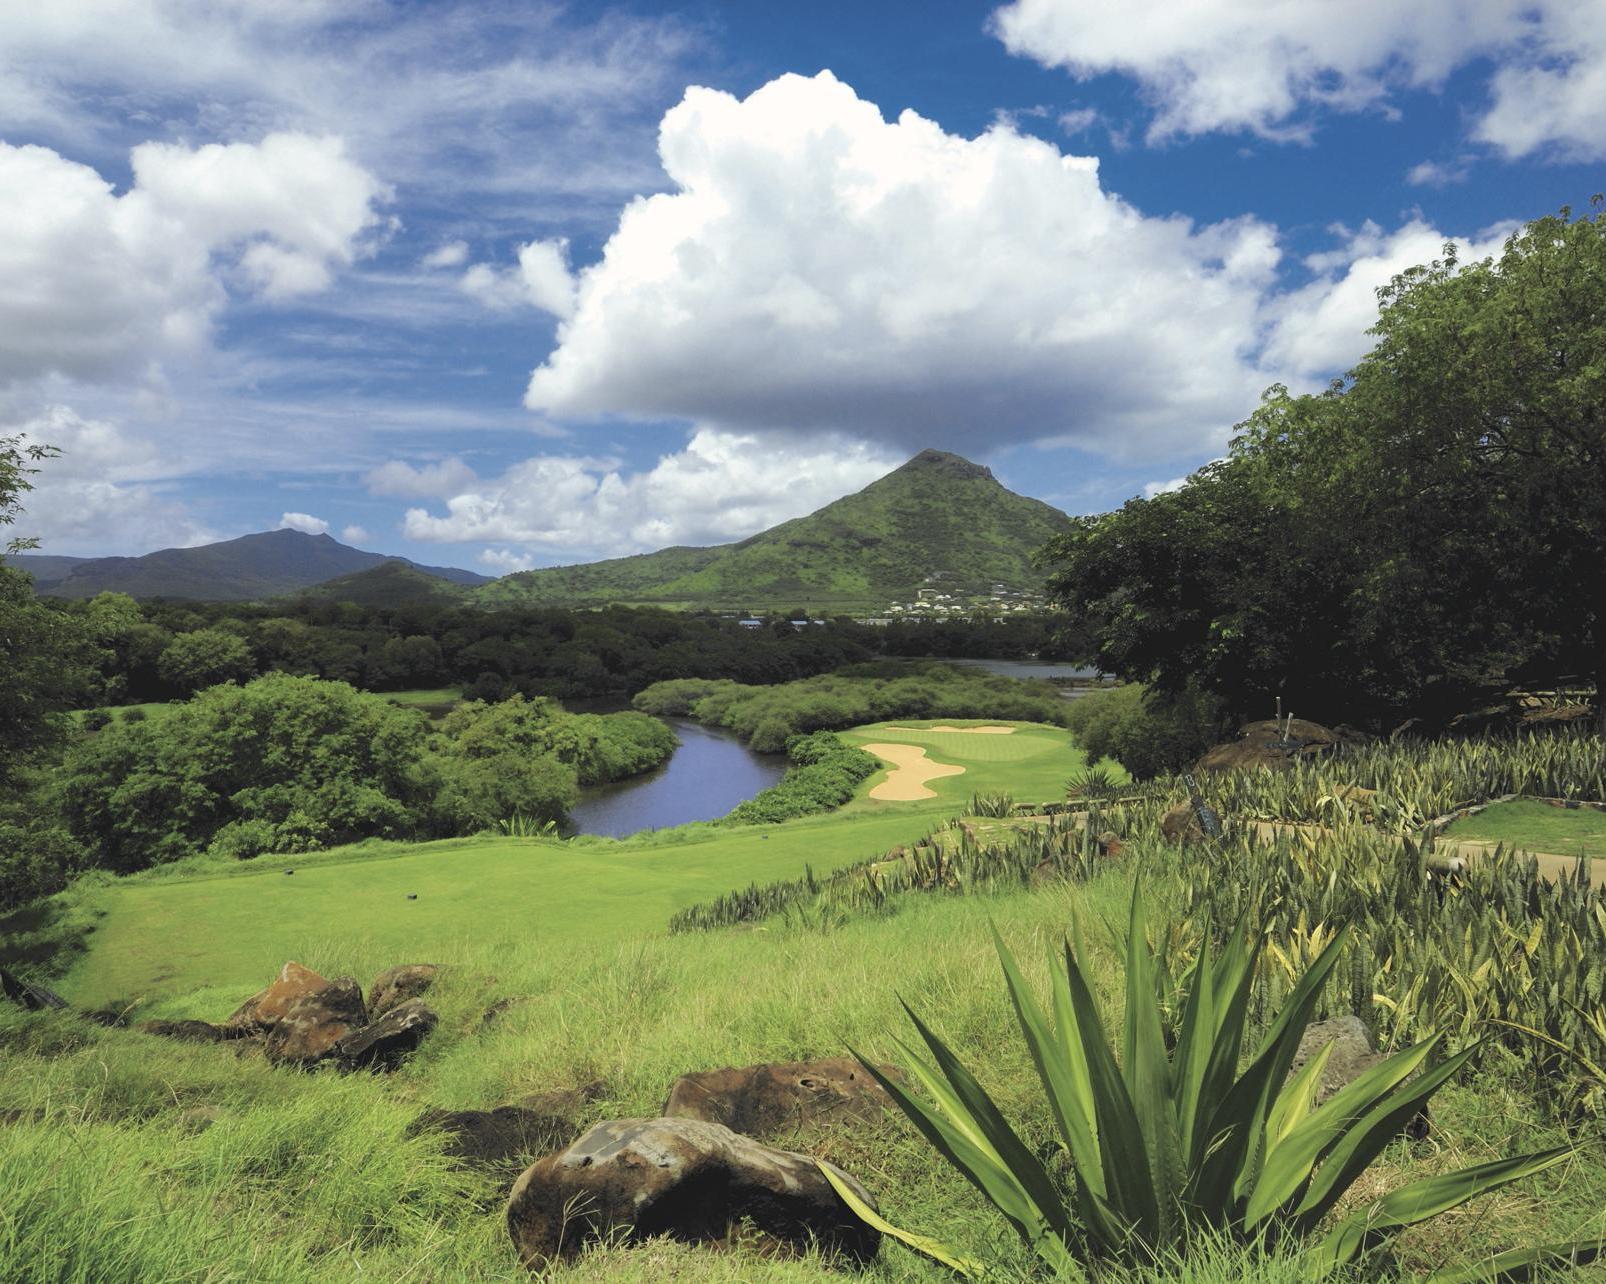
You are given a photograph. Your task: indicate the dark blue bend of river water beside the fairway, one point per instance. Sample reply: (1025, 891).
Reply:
(706, 778)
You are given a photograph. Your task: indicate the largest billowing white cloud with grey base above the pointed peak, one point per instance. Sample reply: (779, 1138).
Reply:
(817, 267)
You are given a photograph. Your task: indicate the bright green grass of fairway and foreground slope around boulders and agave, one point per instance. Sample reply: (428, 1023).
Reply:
(312, 1177)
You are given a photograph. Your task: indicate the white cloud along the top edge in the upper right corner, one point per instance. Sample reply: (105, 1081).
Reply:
(1226, 65)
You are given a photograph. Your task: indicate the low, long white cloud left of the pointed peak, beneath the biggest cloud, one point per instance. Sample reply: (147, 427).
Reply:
(722, 487)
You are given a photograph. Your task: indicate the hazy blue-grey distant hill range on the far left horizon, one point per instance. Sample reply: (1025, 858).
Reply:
(253, 567)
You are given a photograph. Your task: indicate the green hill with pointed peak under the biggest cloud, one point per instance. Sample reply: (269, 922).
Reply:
(937, 516)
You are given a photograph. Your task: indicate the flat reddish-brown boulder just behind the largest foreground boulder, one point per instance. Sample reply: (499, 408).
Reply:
(780, 1095)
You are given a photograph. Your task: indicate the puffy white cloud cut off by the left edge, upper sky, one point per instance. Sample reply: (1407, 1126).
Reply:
(120, 283)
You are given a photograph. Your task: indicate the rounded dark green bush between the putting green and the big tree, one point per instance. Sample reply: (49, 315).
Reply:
(1146, 733)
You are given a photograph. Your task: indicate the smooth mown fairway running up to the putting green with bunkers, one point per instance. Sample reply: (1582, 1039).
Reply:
(214, 930)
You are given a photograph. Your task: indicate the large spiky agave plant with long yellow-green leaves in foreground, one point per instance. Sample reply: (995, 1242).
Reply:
(1173, 1145)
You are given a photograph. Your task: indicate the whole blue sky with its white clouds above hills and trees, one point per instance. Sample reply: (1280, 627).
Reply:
(505, 285)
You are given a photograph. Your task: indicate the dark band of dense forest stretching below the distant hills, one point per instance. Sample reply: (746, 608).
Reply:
(163, 651)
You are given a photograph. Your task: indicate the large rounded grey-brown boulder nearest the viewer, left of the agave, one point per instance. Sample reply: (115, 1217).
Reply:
(685, 1179)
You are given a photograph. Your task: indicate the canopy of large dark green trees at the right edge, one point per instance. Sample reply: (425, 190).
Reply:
(1421, 535)
